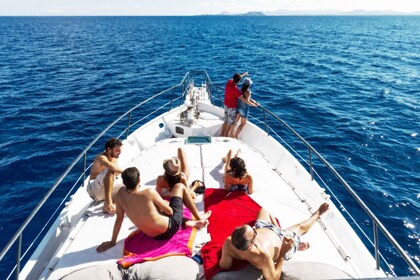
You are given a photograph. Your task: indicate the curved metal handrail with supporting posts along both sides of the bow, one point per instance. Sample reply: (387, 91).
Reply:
(183, 85)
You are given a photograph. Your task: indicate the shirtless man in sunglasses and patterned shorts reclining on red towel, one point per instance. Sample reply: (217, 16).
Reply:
(265, 245)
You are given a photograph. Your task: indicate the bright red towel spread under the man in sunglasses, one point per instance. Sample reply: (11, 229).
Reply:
(229, 210)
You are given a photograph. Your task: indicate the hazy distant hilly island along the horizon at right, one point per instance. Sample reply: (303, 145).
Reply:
(319, 13)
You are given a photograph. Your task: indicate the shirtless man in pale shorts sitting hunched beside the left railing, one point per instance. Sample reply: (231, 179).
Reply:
(103, 172)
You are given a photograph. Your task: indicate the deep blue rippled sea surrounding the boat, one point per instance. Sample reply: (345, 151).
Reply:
(349, 85)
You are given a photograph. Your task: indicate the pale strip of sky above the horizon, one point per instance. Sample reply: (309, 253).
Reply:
(193, 7)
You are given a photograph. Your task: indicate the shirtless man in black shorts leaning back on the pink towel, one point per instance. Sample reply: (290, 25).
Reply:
(149, 212)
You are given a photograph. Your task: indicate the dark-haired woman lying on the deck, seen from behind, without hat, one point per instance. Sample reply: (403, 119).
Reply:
(236, 177)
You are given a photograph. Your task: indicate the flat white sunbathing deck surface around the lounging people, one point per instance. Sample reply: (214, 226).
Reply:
(271, 191)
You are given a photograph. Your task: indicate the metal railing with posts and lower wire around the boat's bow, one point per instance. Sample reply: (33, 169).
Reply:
(178, 92)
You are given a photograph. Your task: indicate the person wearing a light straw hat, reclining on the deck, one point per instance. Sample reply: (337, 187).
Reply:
(175, 171)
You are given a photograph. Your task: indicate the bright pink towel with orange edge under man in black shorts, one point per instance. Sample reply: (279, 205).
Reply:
(139, 247)
